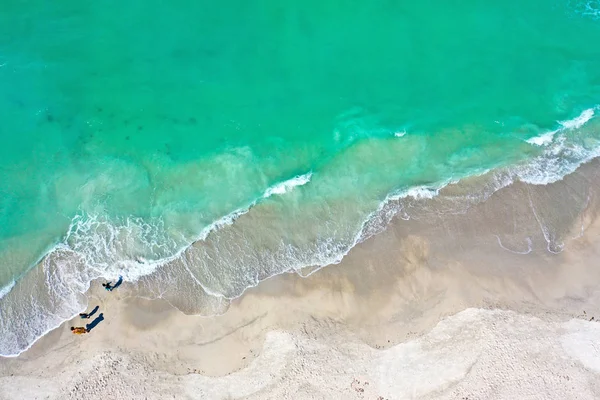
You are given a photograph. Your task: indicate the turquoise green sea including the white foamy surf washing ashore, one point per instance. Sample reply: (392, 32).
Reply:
(132, 129)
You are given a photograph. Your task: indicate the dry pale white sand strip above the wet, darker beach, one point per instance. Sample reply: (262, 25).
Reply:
(475, 354)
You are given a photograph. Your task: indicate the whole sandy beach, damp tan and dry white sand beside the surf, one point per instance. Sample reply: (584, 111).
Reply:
(448, 305)
